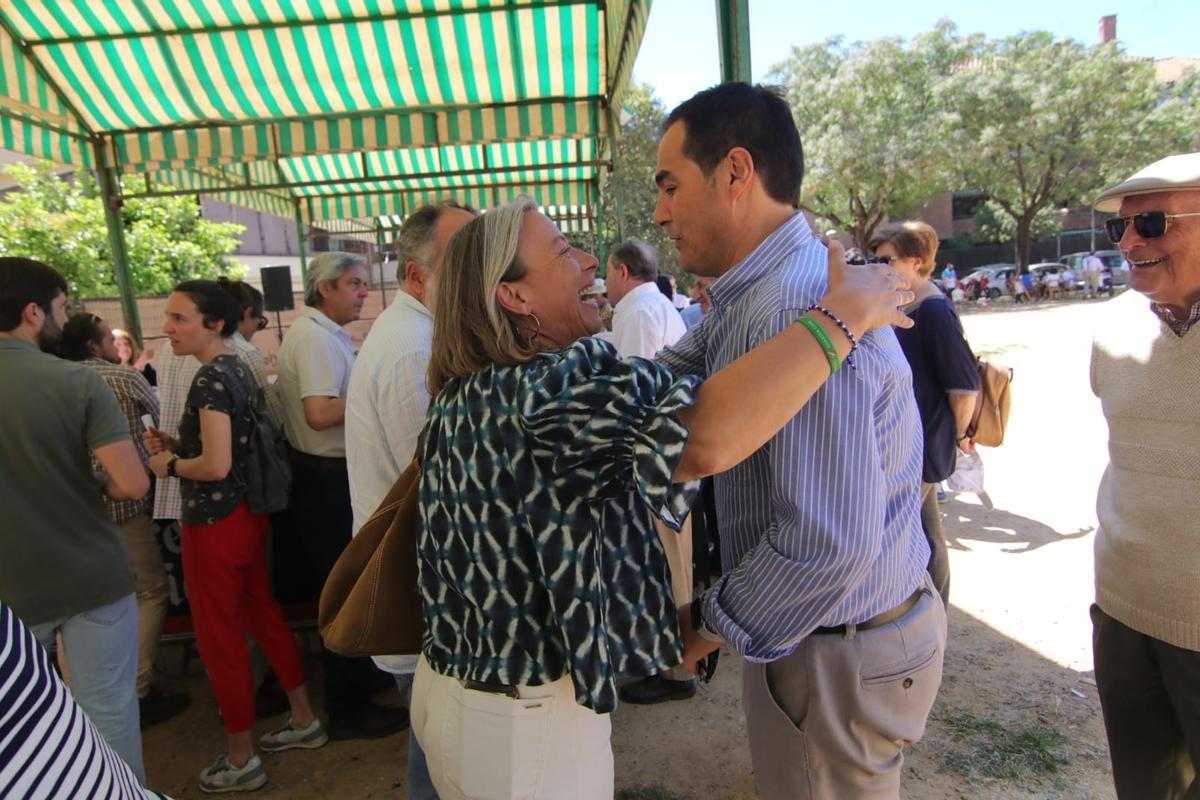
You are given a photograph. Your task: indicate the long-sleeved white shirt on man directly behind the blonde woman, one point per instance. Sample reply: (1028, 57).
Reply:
(386, 413)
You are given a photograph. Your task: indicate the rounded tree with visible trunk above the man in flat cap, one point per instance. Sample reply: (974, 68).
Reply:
(1045, 122)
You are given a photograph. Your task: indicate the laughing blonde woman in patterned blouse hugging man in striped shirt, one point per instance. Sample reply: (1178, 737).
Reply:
(545, 456)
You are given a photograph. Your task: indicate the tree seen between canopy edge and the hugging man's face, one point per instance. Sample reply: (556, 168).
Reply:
(631, 195)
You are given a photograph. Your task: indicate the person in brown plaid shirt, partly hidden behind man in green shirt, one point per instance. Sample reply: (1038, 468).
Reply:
(89, 340)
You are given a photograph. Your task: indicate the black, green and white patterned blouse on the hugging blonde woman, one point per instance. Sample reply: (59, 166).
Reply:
(538, 556)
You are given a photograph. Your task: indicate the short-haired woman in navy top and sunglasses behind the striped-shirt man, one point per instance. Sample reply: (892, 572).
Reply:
(945, 377)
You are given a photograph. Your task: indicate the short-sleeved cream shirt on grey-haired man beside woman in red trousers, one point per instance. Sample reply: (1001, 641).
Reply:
(315, 362)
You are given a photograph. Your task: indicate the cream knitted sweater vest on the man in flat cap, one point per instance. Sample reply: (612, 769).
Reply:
(1148, 548)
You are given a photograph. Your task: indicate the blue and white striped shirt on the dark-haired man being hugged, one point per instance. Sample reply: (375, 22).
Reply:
(821, 526)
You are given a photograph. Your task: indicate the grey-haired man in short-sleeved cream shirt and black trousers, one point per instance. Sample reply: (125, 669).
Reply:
(315, 365)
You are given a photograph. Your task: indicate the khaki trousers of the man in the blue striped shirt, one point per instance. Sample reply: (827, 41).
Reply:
(830, 720)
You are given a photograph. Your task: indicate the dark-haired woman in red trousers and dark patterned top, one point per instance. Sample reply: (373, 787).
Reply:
(225, 570)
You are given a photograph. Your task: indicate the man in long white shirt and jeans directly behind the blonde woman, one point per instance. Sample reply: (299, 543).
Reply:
(386, 408)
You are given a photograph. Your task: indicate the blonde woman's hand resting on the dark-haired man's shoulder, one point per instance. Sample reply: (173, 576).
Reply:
(867, 297)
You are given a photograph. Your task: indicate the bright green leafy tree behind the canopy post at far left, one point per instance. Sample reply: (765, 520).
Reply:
(62, 222)
